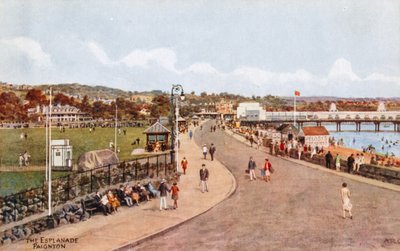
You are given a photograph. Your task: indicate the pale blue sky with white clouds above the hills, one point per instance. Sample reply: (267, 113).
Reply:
(270, 47)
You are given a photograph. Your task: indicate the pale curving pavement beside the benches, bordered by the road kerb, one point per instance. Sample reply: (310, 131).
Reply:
(130, 226)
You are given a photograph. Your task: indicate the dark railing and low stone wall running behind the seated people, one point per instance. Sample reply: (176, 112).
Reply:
(16, 207)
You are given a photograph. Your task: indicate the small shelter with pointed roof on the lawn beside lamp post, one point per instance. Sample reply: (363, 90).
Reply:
(157, 137)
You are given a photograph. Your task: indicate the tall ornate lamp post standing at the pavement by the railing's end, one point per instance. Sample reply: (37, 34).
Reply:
(176, 95)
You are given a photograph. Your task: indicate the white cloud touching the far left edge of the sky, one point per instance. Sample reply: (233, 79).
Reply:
(29, 48)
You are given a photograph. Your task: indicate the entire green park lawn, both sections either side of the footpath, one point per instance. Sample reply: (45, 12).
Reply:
(81, 139)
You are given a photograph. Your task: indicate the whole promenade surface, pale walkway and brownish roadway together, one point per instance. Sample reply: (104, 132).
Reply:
(299, 210)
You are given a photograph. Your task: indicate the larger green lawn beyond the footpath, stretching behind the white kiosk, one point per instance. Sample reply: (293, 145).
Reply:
(11, 145)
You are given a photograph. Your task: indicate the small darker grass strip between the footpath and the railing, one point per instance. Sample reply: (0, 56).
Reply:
(12, 182)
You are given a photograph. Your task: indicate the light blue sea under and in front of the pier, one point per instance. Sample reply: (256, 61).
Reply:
(387, 141)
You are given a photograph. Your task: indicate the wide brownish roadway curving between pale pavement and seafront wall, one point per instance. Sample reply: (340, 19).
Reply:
(299, 210)
